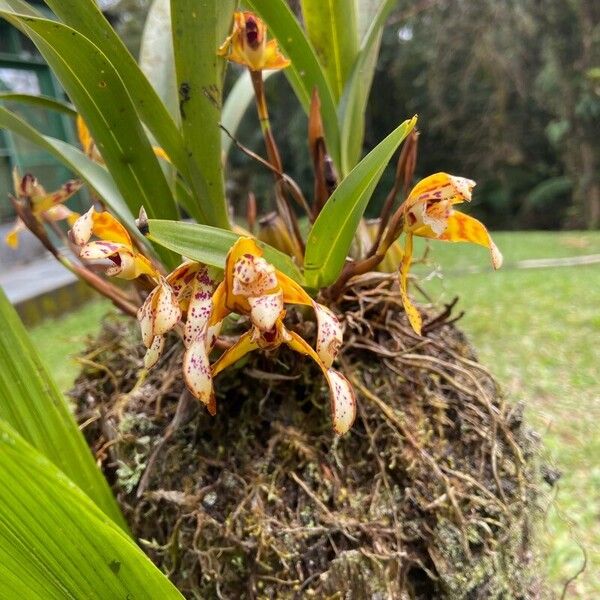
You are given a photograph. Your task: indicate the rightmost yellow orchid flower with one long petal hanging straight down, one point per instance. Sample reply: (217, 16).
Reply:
(428, 212)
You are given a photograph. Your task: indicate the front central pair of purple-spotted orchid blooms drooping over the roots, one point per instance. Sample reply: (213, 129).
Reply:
(252, 287)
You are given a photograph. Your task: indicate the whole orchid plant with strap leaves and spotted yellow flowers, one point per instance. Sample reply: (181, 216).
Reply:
(189, 277)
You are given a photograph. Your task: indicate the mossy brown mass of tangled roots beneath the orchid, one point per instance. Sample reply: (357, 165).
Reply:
(432, 494)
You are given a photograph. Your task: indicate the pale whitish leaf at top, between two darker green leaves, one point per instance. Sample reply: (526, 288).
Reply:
(156, 55)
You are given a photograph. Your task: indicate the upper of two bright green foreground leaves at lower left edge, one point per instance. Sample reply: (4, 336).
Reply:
(33, 405)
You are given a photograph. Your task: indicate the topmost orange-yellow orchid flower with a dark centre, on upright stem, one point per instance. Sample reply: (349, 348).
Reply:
(247, 45)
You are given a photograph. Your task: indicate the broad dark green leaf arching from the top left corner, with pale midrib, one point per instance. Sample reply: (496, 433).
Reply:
(100, 95)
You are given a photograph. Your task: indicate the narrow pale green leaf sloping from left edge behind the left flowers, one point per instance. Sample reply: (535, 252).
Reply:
(94, 174)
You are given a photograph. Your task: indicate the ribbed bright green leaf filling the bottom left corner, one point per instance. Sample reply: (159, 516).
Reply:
(54, 541)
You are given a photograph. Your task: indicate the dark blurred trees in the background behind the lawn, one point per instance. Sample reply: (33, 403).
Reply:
(508, 93)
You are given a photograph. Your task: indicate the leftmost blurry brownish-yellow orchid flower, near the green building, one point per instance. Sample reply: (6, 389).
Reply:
(44, 206)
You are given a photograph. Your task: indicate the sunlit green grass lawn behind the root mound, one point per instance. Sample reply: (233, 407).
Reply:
(538, 330)
